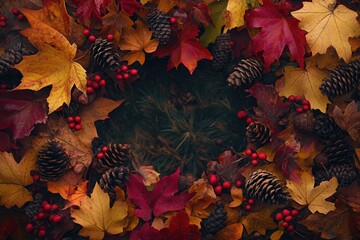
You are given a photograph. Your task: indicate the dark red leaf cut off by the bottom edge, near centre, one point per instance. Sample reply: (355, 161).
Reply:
(180, 228)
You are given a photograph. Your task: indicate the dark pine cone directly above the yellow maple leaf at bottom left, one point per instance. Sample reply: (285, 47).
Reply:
(113, 178)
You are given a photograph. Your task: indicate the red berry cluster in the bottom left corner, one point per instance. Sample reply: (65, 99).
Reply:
(48, 215)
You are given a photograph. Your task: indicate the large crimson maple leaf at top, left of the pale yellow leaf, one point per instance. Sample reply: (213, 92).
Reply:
(278, 29)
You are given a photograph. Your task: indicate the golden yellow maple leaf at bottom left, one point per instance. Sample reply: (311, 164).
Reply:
(97, 218)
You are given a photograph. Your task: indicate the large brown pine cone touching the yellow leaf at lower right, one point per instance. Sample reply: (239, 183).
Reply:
(266, 187)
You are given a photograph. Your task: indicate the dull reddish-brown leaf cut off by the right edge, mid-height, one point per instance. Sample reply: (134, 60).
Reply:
(349, 120)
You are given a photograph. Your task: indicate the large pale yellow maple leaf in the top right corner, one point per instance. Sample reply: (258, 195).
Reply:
(328, 26)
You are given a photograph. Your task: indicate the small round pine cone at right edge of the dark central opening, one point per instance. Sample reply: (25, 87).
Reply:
(258, 134)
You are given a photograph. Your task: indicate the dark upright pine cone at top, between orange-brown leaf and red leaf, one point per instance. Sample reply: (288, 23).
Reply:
(159, 23)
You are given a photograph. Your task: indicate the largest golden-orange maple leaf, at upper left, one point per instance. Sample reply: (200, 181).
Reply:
(52, 66)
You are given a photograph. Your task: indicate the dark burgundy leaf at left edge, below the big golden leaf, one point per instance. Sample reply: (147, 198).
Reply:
(21, 110)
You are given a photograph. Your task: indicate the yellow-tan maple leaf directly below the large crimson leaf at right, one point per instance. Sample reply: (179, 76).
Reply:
(305, 83)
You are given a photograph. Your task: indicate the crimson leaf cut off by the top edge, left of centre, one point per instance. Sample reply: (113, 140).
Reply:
(90, 8)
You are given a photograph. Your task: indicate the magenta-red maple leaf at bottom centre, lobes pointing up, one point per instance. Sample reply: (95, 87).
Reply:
(161, 199)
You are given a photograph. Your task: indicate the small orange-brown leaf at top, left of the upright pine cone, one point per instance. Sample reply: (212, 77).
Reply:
(138, 42)
